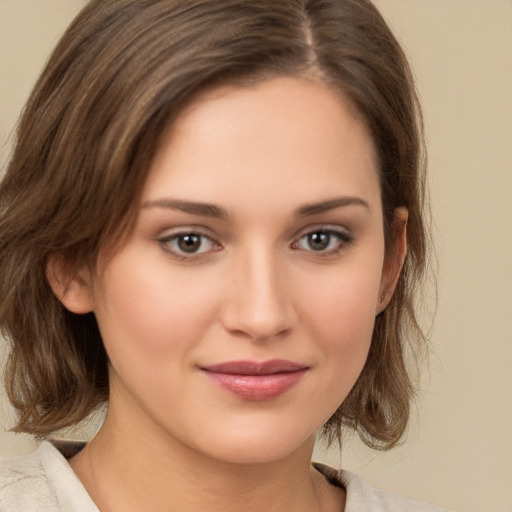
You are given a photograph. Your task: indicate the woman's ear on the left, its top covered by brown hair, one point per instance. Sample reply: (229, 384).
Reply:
(72, 288)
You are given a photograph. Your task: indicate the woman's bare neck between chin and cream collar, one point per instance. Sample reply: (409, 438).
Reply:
(121, 471)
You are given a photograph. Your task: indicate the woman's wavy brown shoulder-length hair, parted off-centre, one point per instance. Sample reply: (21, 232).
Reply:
(122, 72)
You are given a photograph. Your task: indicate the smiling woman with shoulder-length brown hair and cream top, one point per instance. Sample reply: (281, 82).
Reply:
(212, 221)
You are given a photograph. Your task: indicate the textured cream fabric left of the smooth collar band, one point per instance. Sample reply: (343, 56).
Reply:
(24, 485)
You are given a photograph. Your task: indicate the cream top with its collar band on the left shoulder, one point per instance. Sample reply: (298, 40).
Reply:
(42, 481)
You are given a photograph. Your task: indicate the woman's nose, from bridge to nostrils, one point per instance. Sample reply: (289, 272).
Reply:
(259, 302)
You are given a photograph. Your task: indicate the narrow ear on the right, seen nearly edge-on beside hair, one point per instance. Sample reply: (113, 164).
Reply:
(394, 258)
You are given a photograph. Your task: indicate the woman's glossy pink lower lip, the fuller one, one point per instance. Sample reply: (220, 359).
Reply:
(257, 387)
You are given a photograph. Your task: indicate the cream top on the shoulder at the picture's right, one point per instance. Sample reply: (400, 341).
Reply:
(362, 497)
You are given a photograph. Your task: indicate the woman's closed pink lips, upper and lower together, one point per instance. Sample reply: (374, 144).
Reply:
(256, 381)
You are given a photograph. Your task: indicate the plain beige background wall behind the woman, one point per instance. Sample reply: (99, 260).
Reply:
(459, 449)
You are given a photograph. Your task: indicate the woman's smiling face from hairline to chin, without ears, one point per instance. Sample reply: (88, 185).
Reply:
(238, 315)
